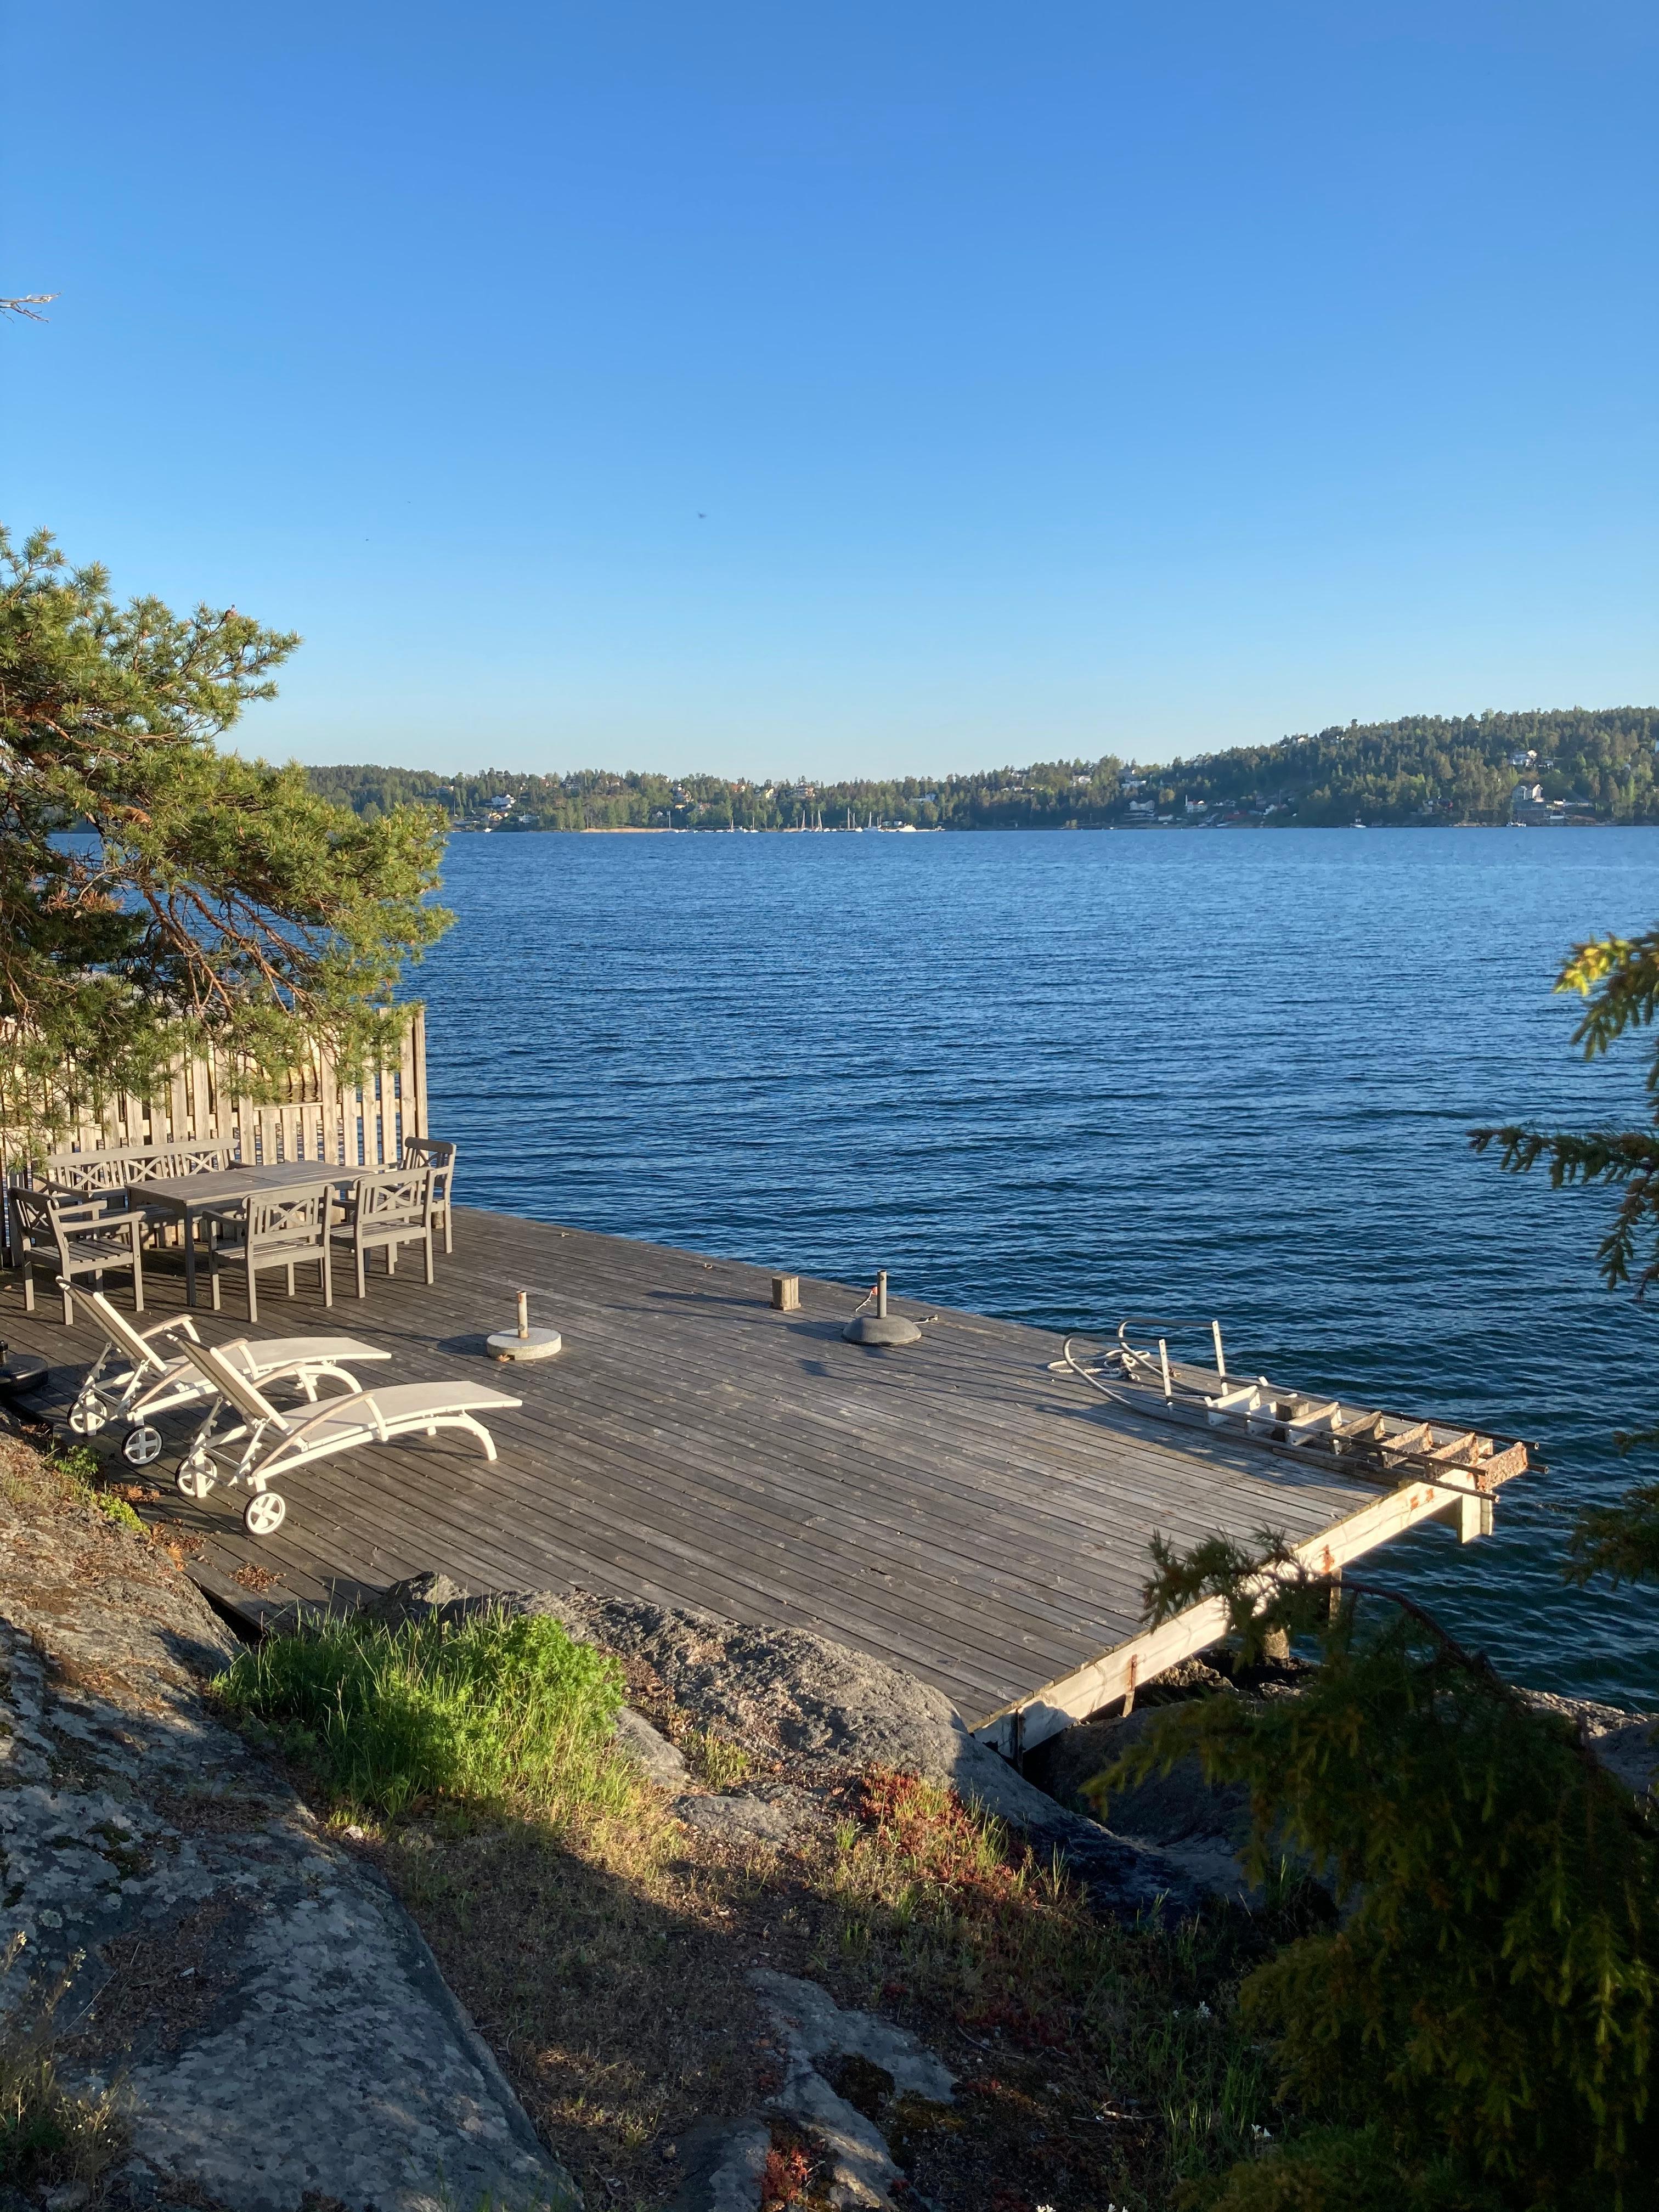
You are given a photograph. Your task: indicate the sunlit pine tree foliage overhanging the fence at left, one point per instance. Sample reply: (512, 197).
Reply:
(158, 893)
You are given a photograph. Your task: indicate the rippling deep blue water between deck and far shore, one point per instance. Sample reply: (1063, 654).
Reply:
(1072, 1076)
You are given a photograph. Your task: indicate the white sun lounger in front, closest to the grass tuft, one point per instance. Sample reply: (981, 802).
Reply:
(280, 1443)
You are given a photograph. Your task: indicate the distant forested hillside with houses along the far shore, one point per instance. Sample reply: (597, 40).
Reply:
(1587, 764)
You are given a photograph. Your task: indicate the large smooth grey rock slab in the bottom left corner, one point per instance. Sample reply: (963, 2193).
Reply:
(313, 2043)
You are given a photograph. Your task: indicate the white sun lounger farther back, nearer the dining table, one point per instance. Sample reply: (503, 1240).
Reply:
(158, 1379)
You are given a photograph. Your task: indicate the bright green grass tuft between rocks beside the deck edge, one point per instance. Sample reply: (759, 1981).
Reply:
(499, 1707)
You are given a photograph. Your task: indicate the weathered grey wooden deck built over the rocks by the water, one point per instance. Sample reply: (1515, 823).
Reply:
(952, 1507)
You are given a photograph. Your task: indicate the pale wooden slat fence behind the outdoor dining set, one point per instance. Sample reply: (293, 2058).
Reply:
(320, 1118)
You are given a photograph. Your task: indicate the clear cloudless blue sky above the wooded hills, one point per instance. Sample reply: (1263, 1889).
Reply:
(851, 388)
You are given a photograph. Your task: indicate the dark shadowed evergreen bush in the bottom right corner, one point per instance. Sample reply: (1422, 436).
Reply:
(1483, 1985)
